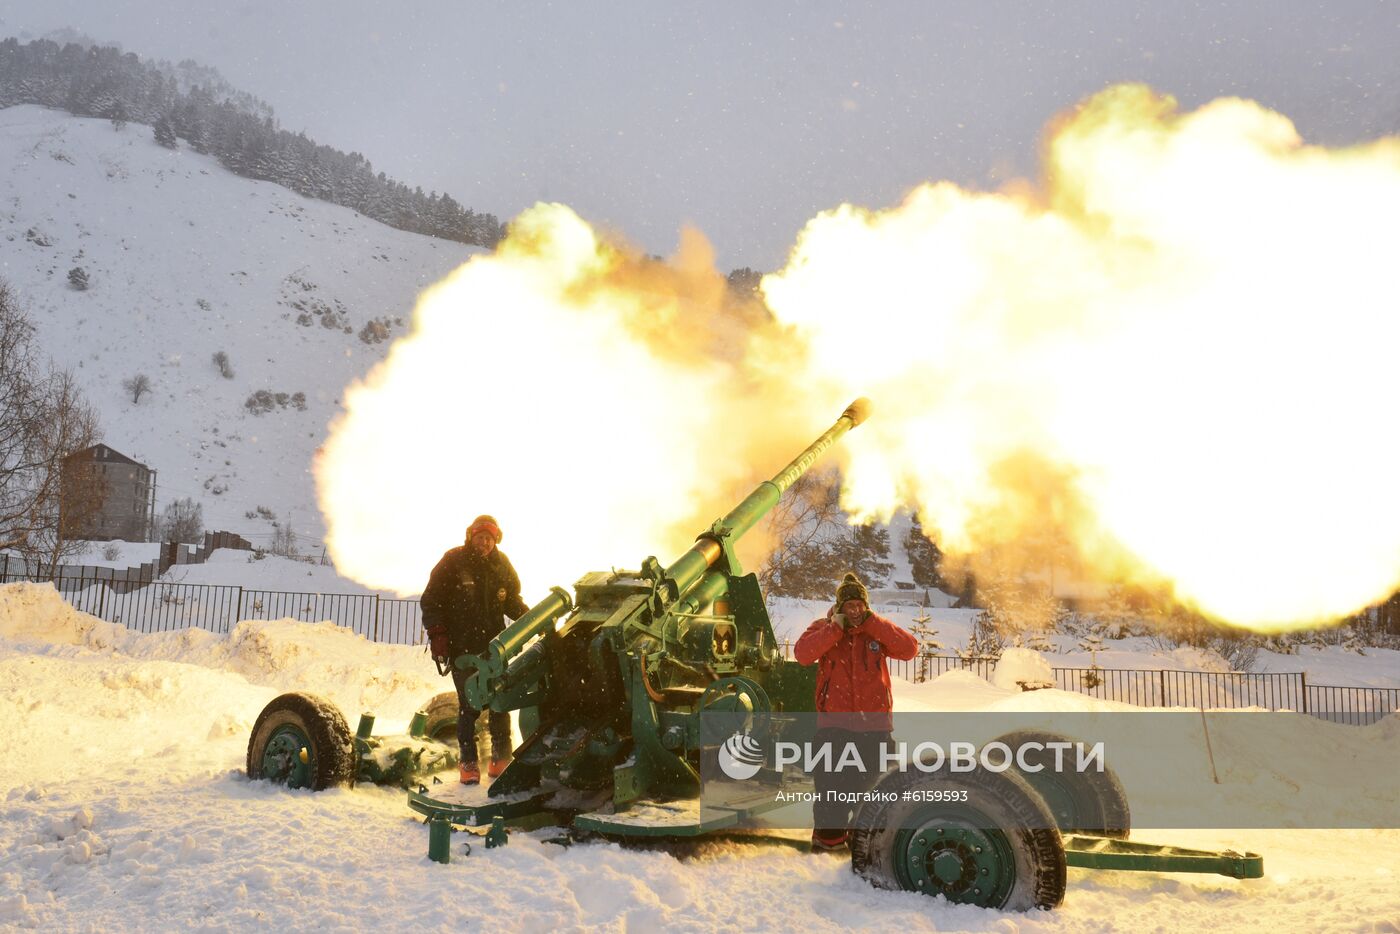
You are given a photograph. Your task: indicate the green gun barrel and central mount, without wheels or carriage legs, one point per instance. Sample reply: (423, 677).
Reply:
(611, 698)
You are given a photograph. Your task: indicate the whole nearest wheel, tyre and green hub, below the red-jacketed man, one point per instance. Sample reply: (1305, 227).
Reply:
(997, 848)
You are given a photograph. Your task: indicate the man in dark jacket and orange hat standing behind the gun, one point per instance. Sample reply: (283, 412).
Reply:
(465, 604)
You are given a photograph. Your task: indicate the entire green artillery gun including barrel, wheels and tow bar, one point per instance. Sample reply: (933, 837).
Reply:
(618, 690)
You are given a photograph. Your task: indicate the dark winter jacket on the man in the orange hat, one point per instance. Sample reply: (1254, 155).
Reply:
(472, 596)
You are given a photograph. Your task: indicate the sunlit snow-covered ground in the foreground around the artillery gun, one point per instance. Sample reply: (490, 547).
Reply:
(125, 809)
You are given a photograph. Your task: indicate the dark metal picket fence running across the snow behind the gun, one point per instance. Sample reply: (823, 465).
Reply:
(148, 607)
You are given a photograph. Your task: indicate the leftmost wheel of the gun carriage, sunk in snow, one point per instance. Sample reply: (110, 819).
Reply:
(302, 741)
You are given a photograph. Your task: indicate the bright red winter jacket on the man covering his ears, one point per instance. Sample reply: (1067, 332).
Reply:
(852, 677)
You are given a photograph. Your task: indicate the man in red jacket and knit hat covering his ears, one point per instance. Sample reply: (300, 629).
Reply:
(855, 706)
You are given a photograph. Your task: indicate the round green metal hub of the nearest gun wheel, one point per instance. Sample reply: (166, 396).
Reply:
(955, 855)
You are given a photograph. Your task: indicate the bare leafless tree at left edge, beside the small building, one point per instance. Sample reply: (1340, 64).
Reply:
(44, 419)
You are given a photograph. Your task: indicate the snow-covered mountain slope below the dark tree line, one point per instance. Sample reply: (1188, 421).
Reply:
(185, 261)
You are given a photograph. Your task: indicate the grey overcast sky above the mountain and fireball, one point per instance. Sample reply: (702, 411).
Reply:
(741, 118)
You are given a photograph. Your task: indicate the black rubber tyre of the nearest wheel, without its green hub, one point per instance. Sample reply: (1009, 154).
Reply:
(1006, 799)
